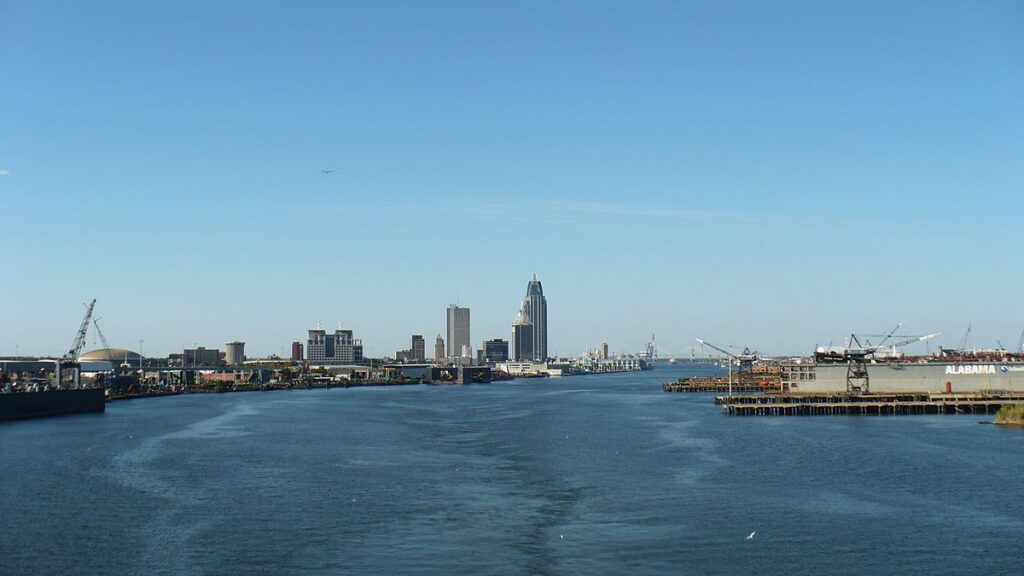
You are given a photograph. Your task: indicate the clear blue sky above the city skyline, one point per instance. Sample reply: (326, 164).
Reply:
(764, 175)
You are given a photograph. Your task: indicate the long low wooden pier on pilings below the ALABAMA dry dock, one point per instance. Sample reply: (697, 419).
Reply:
(867, 405)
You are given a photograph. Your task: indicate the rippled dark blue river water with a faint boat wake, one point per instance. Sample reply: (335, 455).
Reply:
(589, 475)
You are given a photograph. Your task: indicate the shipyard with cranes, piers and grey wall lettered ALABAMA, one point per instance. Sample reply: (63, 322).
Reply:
(862, 379)
